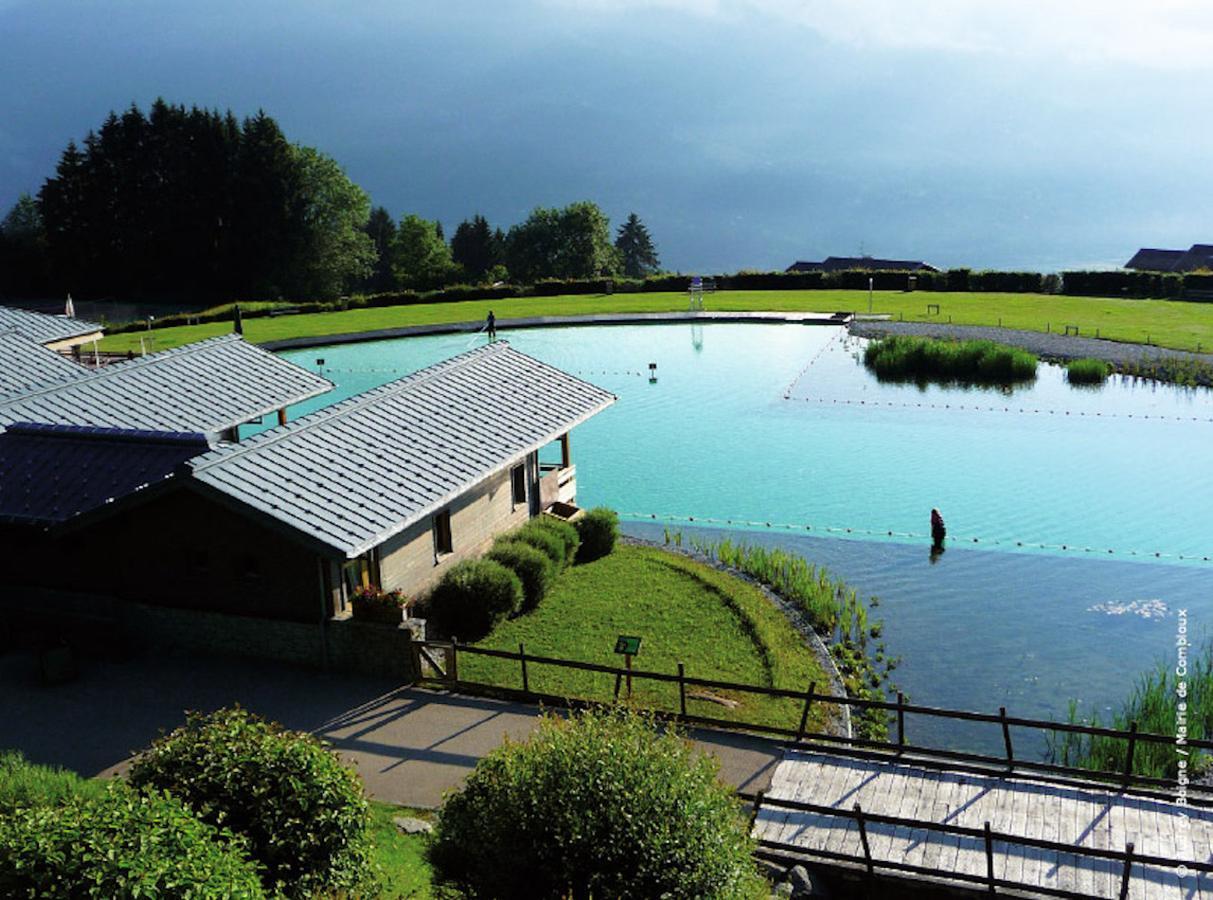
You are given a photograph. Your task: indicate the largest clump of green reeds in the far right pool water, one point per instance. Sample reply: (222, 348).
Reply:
(922, 360)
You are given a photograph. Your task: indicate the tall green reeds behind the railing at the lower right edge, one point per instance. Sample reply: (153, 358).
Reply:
(1153, 705)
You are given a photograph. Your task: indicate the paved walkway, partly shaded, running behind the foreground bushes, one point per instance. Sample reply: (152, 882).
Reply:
(409, 744)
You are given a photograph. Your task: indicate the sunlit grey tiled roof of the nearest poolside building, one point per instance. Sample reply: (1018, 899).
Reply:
(358, 472)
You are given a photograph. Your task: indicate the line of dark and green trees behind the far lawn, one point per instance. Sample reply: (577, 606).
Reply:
(191, 203)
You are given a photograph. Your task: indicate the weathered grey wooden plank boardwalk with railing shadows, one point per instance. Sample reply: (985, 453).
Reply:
(1087, 817)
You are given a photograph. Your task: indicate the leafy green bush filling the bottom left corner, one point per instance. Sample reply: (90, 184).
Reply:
(122, 844)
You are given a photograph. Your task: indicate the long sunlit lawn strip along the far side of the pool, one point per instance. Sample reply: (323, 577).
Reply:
(1165, 323)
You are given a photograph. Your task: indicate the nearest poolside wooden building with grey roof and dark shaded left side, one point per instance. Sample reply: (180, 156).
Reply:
(392, 488)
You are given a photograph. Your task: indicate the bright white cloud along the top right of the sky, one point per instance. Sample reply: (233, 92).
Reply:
(1166, 35)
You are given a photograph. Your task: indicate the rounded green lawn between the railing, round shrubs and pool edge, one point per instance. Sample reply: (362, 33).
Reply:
(720, 628)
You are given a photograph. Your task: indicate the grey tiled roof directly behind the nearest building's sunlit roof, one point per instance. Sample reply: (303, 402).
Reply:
(206, 388)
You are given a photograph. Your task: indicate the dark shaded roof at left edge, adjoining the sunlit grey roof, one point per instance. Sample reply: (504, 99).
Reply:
(50, 474)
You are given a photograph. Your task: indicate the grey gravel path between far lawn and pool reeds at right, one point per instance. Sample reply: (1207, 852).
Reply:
(1045, 345)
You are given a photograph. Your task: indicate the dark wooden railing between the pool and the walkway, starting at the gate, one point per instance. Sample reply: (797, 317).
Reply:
(447, 673)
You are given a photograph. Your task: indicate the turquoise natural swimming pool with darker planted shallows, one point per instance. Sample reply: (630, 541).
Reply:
(779, 424)
